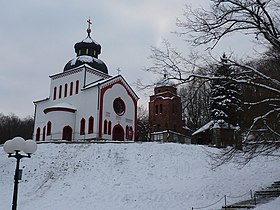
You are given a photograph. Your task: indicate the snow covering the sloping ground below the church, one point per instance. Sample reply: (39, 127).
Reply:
(147, 176)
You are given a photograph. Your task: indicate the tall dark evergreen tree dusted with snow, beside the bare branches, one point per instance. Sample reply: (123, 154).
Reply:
(225, 105)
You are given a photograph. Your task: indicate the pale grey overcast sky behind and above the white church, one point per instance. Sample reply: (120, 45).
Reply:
(37, 39)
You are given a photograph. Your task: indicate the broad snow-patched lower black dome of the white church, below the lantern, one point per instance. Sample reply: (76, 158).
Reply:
(86, 59)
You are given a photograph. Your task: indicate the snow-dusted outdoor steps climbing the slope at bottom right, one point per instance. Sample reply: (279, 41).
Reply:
(260, 197)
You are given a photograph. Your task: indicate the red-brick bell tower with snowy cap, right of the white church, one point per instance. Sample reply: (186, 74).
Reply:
(165, 112)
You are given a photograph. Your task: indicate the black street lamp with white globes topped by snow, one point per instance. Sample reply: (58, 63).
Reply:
(14, 148)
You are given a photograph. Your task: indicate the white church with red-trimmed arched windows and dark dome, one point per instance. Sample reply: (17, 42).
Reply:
(85, 102)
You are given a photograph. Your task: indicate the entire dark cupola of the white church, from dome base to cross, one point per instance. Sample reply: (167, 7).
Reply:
(87, 52)
